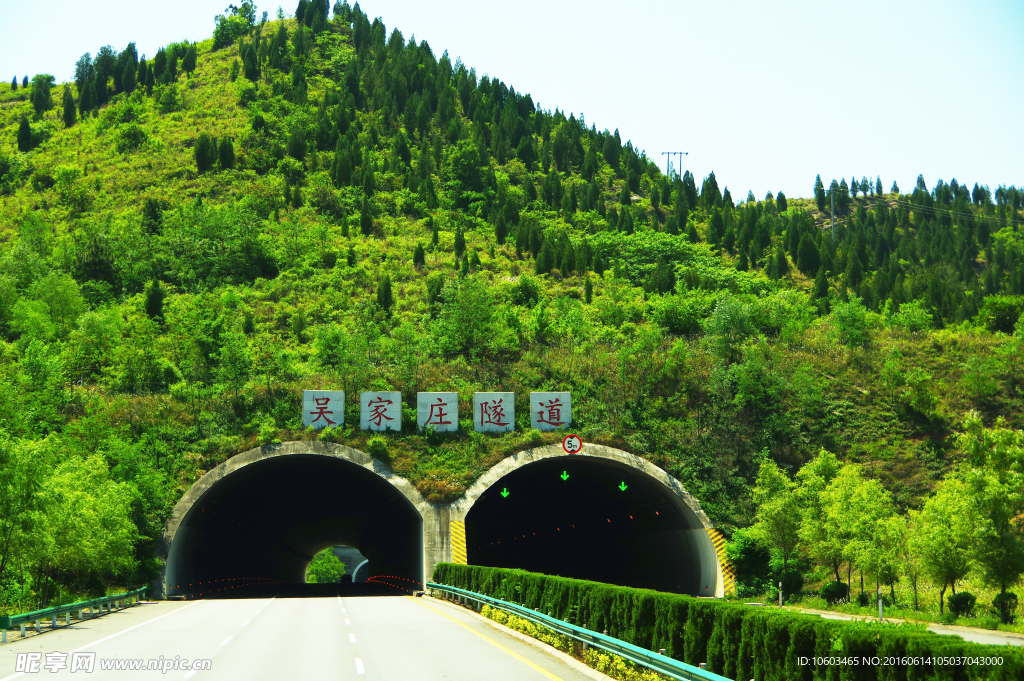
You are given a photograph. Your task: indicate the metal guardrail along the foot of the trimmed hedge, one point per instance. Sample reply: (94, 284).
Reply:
(662, 664)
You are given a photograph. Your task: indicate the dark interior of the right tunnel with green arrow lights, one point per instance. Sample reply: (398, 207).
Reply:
(587, 527)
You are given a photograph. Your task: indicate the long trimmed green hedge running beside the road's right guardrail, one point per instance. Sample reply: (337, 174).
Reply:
(740, 642)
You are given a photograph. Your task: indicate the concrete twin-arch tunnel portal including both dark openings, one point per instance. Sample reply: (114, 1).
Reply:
(604, 515)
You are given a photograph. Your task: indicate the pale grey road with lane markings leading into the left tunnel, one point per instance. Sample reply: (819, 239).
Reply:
(350, 639)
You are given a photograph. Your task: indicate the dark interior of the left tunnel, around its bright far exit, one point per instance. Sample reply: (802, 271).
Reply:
(261, 526)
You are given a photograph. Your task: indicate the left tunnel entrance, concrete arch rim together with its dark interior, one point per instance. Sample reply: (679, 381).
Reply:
(280, 504)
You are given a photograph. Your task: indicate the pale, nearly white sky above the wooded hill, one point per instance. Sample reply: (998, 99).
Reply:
(765, 95)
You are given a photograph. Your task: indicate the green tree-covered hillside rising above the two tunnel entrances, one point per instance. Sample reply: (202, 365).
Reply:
(190, 240)
